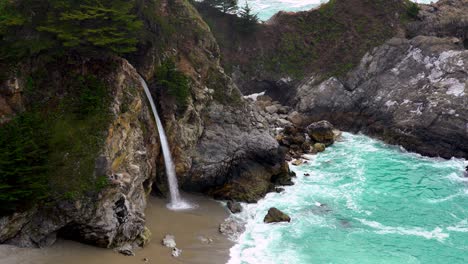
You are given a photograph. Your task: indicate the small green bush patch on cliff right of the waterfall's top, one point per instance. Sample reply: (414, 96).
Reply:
(175, 82)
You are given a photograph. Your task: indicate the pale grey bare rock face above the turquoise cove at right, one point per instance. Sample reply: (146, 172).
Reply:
(408, 92)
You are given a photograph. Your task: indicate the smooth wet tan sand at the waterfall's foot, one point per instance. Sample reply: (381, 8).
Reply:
(186, 226)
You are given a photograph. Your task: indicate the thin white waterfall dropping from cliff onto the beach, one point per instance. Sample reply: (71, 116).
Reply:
(176, 202)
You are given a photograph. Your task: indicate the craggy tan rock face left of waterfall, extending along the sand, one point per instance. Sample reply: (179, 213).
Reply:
(115, 216)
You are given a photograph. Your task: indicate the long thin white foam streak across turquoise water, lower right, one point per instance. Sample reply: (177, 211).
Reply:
(437, 233)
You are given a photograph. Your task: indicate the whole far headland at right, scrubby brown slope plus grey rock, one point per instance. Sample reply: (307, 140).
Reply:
(409, 91)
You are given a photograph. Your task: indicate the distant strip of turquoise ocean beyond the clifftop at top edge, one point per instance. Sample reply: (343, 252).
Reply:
(267, 8)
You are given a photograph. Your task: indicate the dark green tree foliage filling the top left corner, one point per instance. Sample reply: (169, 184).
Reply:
(93, 27)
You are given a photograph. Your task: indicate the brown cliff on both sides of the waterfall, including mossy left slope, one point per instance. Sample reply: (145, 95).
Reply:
(98, 194)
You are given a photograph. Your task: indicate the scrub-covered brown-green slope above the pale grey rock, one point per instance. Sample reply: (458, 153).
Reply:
(329, 40)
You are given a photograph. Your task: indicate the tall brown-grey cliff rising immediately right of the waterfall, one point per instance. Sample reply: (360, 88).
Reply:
(215, 140)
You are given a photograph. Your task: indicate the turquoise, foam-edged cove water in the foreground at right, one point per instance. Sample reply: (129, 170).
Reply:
(379, 204)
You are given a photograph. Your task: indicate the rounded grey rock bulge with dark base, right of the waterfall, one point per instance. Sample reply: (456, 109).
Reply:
(234, 159)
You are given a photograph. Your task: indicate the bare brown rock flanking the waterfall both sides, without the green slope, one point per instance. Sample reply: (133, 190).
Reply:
(218, 146)
